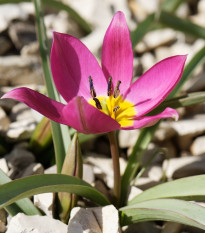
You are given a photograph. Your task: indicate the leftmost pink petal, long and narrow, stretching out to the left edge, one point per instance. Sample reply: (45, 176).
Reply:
(46, 106)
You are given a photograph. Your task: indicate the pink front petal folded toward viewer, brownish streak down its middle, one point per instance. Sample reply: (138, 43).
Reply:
(87, 119)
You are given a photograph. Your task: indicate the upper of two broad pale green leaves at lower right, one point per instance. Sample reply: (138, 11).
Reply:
(189, 188)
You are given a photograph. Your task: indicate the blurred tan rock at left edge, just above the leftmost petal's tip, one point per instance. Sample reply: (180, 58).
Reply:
(17, 70)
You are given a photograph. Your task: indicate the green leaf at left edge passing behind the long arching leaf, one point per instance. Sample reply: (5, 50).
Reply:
(24, 206)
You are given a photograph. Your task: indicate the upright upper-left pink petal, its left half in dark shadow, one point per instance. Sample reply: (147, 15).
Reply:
(71, 64)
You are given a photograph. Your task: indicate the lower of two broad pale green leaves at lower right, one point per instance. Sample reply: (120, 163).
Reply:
(165, 209)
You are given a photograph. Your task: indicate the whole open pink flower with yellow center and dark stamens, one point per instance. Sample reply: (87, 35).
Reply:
(104, 99)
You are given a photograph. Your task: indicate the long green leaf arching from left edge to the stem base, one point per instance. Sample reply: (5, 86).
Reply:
(28, 186)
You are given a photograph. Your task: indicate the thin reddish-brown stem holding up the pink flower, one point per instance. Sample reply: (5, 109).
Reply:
(116, 167)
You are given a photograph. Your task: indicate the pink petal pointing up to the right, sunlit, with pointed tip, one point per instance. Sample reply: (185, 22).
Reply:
(154, 86)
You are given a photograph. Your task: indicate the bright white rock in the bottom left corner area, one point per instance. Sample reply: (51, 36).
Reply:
(35, 224)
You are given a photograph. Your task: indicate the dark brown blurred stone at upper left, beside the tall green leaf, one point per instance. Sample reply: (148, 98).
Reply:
(22, 33)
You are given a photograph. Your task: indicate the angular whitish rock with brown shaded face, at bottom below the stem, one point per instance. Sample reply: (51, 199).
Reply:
(90, 220)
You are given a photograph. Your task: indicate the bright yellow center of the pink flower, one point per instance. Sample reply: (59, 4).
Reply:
(119, 109)
